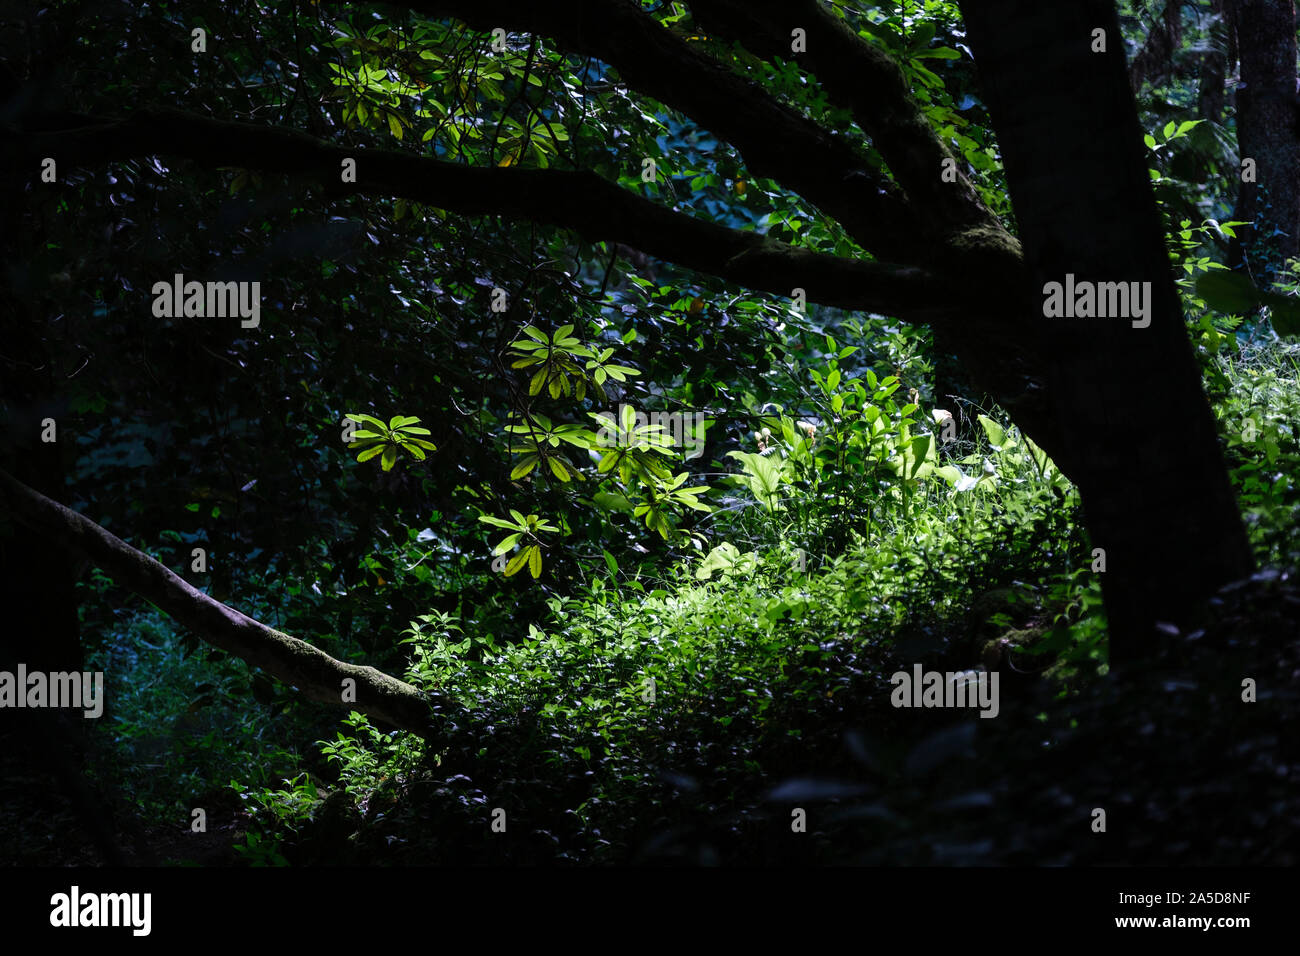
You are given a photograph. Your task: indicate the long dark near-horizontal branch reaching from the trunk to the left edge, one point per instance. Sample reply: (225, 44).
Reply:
(579, 201)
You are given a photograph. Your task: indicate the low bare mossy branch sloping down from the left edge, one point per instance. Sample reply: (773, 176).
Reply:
(311, 671)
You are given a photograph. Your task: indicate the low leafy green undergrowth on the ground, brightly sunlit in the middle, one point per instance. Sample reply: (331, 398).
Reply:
(638, 704)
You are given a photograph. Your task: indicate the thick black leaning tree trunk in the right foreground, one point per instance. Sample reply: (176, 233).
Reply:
(1138, 429)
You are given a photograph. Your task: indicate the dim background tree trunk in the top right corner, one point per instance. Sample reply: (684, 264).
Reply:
(1267, 133)
